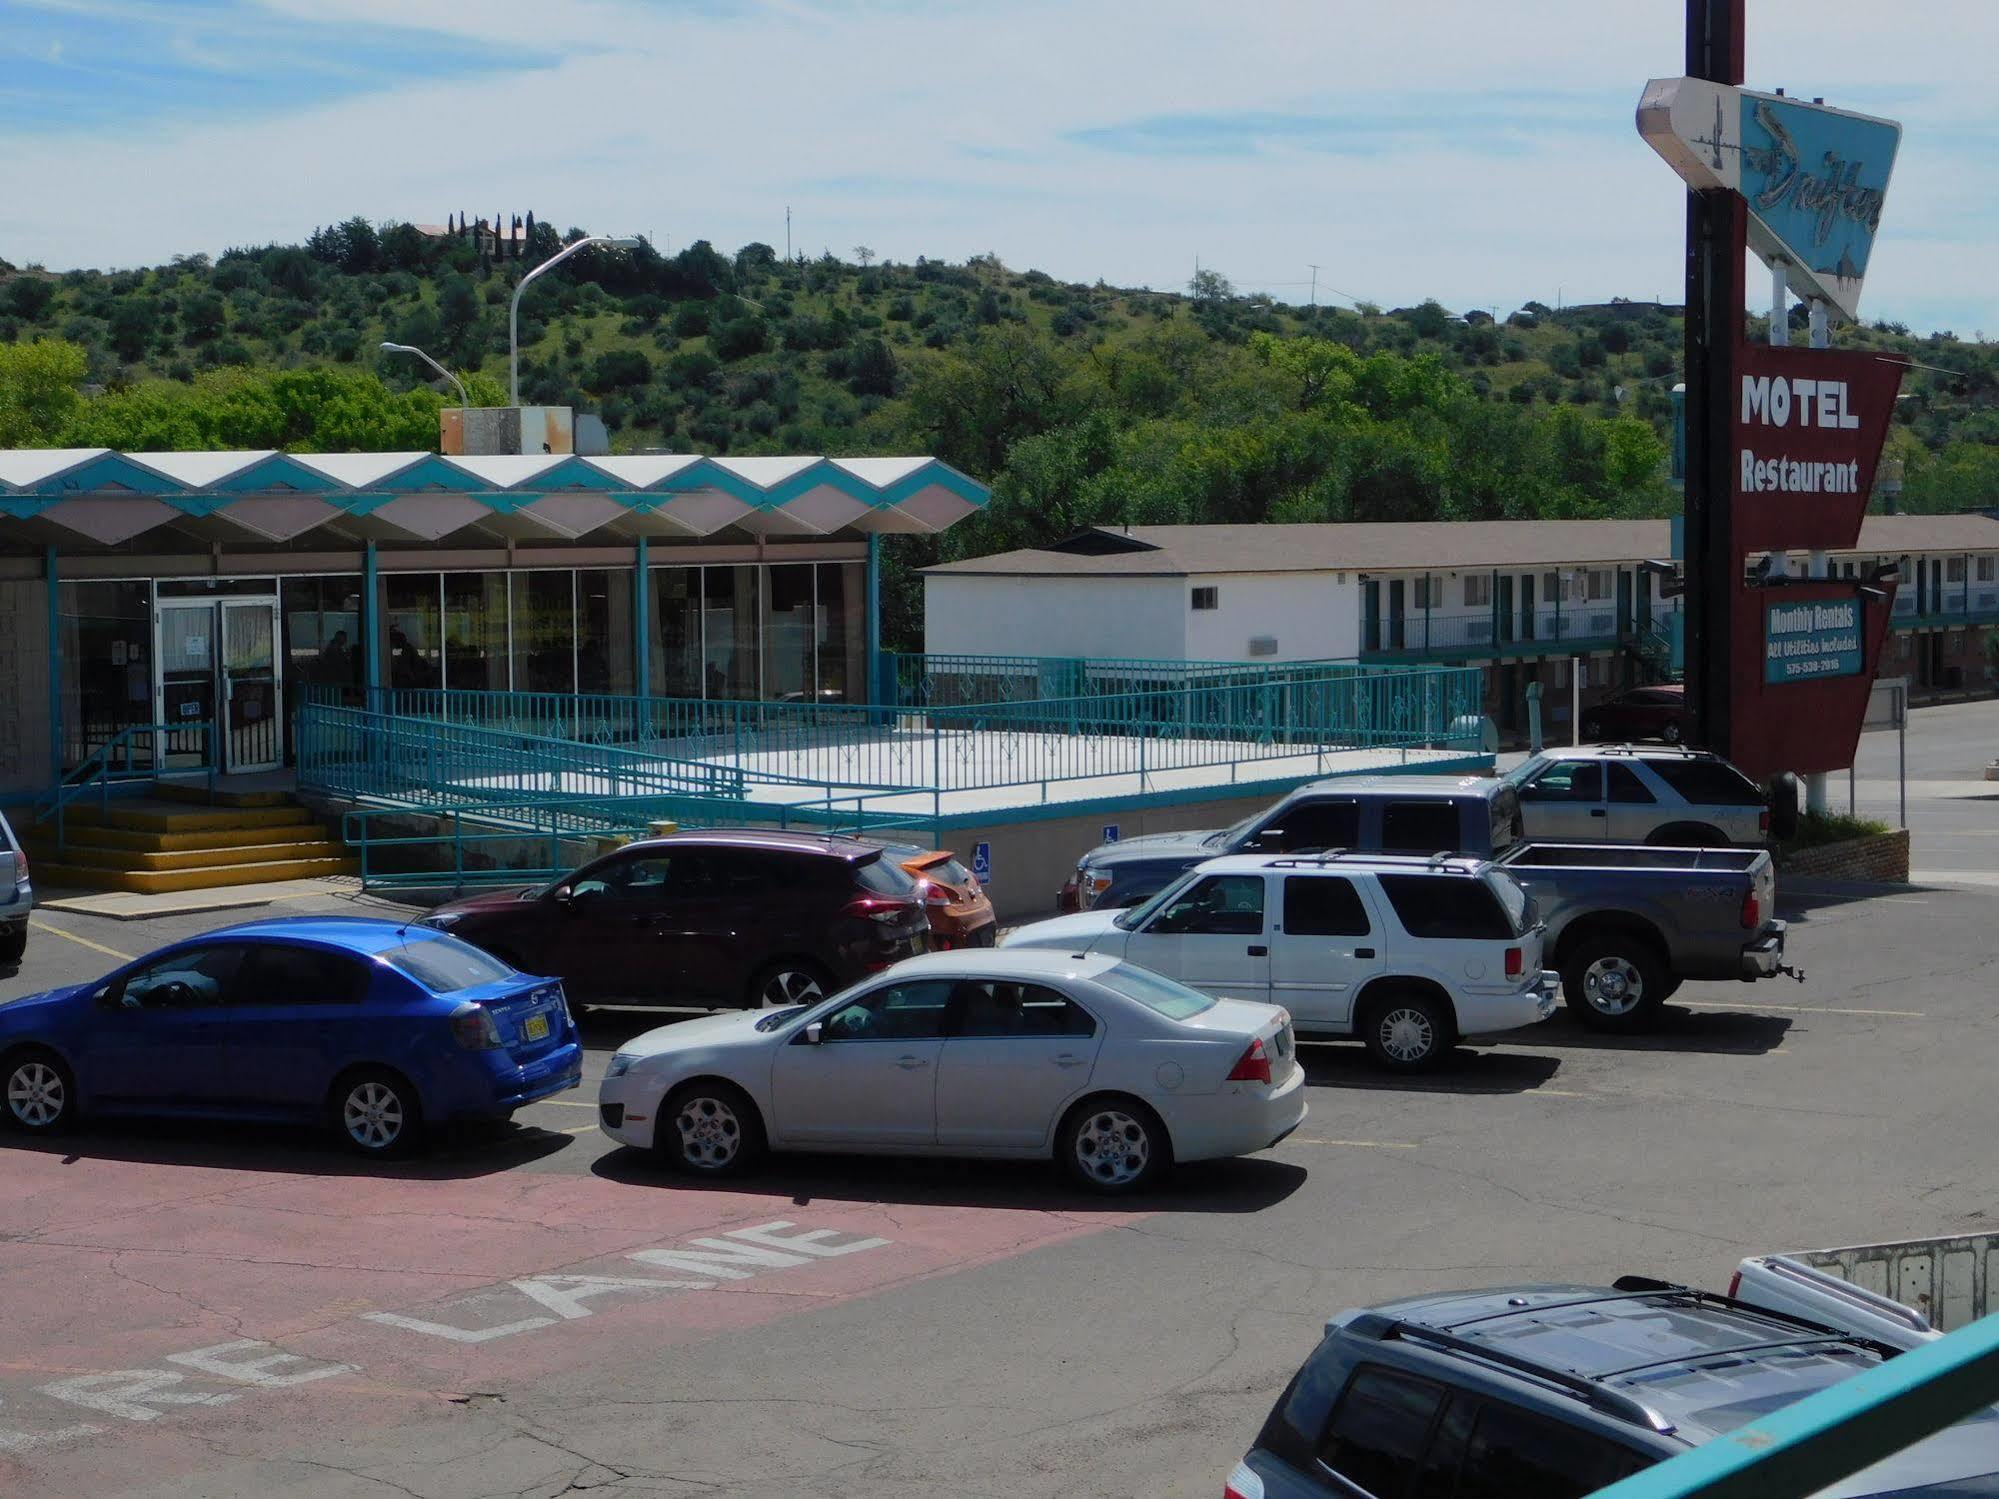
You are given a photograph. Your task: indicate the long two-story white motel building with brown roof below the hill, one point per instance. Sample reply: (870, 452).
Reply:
(1532, 601)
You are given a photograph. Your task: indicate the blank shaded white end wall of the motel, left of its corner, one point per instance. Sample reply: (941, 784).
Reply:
(969, 615)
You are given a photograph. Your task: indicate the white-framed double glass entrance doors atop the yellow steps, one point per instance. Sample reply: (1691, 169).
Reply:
(219, 665)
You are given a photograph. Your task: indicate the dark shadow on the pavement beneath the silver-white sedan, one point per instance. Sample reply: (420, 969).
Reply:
(1236, 1186)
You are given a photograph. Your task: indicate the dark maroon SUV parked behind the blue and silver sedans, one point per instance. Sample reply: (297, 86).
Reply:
(707, 918)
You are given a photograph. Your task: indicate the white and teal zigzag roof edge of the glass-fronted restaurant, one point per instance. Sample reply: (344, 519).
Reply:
(95, 495)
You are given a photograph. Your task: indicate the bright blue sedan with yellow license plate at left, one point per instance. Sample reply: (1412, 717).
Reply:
(369, 1026)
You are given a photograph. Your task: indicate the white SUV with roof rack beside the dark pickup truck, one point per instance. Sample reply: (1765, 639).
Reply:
(1408, 954)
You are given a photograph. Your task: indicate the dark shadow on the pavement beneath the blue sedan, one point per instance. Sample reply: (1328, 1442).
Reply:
(471, 1150)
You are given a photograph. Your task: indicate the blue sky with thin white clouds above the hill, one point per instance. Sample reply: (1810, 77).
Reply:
(1456, 149)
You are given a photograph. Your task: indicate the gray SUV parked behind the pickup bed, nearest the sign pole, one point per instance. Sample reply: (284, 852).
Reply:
(1640, 794)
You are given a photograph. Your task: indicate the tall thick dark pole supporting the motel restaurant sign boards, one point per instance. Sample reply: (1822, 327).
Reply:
(1716, 291)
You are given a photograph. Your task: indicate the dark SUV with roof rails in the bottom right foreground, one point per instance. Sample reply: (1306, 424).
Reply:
(1562, 1390)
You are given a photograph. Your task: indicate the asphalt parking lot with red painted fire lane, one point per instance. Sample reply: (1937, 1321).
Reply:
(243, 1312)
